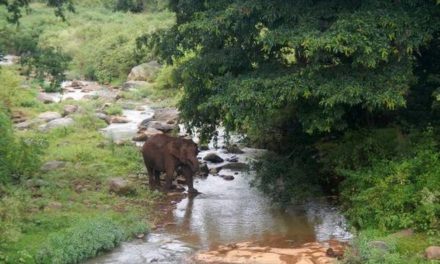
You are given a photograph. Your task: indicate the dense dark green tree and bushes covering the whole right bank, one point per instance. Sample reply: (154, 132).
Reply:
(345, 85)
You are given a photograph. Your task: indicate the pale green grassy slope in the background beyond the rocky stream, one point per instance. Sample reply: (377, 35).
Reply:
(101, 43)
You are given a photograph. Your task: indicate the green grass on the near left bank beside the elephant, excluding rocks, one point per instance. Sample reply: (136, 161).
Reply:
(67, 214)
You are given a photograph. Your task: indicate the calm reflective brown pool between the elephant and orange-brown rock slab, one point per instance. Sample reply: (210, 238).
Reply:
(231, 211)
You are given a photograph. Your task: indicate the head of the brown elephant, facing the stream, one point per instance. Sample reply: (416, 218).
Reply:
(185, 150)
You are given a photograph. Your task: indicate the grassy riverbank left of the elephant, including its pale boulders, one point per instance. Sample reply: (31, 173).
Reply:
(90, 193)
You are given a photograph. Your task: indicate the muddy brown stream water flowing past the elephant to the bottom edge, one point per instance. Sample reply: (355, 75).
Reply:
(229, 212)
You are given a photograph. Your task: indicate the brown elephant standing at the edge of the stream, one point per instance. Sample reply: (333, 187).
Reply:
(163, 153)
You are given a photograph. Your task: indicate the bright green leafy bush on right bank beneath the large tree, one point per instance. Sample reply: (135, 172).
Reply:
(396, 194)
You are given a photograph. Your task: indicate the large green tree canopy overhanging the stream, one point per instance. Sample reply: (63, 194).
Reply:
(326, 65)
